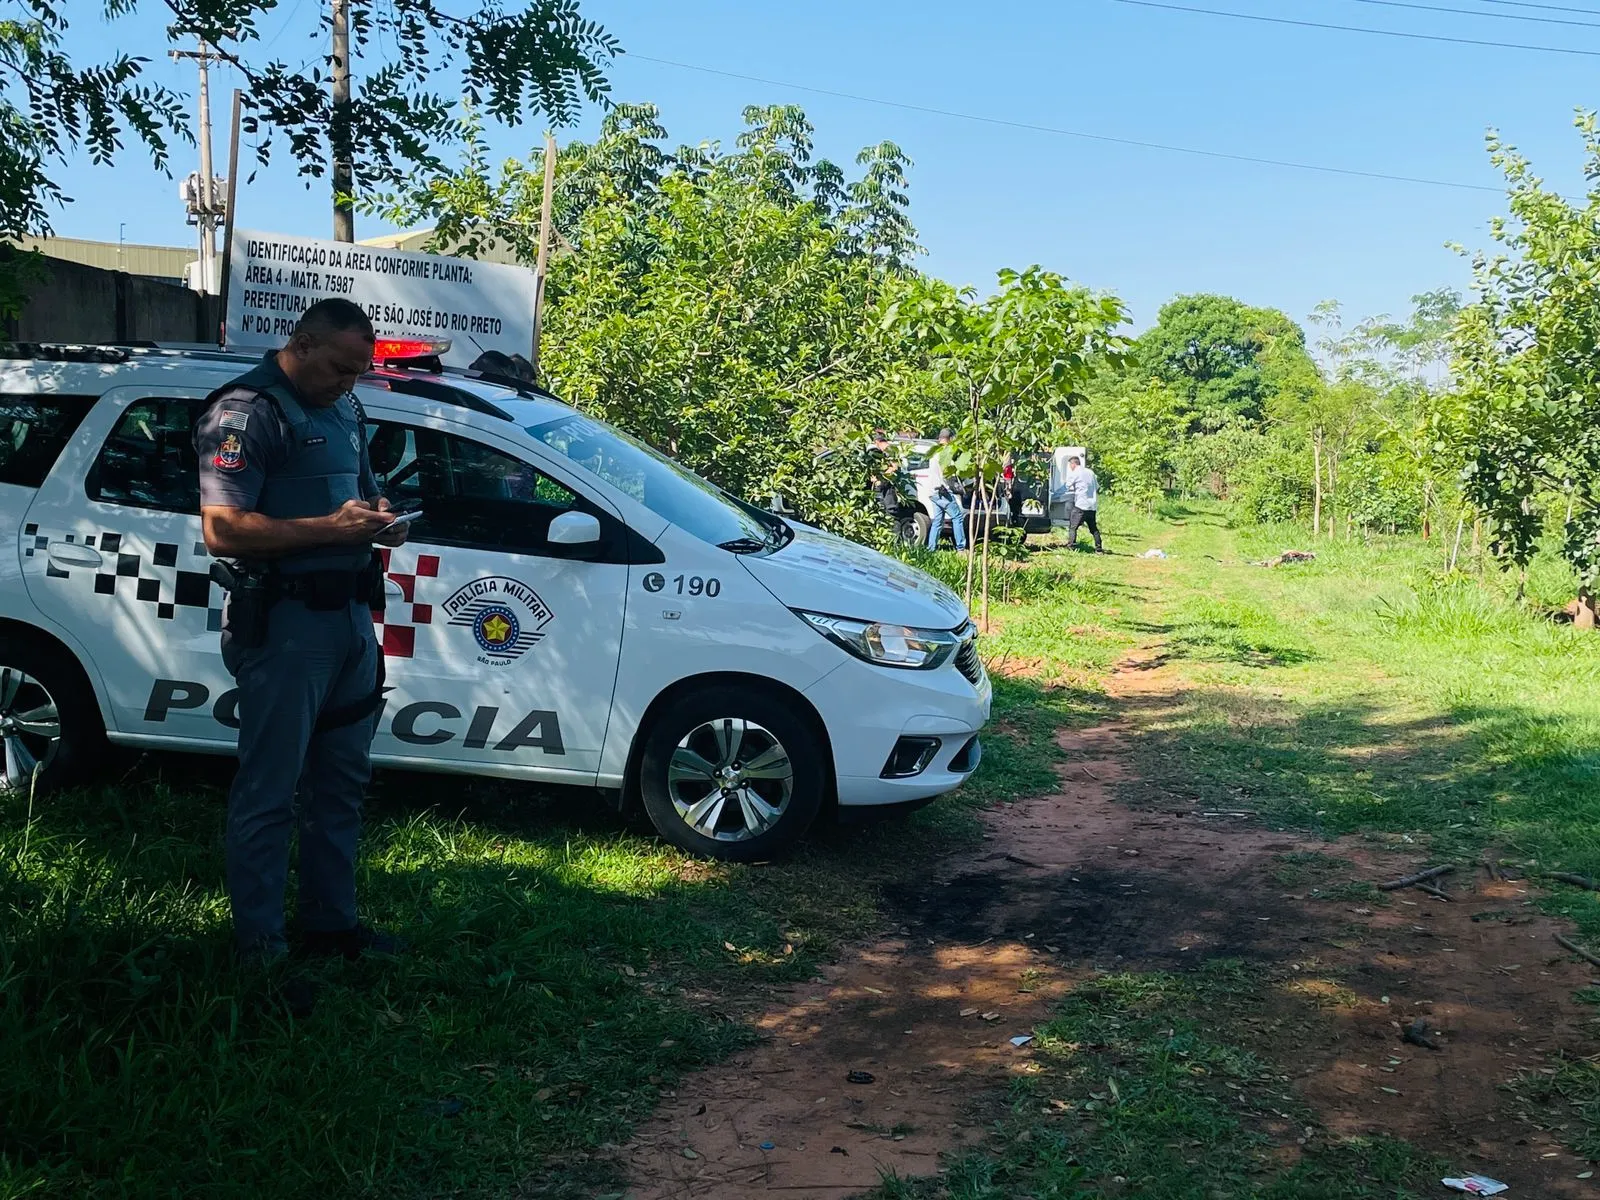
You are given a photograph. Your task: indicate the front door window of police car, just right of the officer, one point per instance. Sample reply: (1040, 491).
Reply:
(471, 494)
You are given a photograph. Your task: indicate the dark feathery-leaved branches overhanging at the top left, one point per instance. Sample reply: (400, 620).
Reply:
(543, 57)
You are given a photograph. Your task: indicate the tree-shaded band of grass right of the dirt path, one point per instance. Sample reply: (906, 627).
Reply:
(1468, 777)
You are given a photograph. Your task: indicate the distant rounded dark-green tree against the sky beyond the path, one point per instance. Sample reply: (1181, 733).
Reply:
(1217, 353)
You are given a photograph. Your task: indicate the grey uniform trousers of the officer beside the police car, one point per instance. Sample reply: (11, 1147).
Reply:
(311, 663)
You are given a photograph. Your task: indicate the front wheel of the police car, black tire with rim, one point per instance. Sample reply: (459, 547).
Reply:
(732, 774)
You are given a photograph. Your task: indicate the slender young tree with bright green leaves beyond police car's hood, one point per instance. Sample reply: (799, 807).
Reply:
(1020, 359)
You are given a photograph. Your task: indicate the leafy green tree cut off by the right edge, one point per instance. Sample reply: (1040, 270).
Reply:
(1529, 369)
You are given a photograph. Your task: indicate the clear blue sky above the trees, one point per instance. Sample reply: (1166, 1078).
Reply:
(1142, 223)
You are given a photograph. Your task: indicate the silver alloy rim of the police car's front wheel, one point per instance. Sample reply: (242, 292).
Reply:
(730, 780)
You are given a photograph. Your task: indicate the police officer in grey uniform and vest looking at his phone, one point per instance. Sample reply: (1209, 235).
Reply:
(290, 505)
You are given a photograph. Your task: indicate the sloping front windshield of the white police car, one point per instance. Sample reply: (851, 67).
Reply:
(662, 486)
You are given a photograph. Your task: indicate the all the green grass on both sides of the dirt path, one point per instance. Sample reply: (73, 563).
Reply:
(569, 969)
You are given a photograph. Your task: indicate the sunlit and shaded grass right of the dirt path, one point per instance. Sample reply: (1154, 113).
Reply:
(1364, 694)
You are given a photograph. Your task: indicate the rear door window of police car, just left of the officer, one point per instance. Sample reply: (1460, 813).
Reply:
(150, 460)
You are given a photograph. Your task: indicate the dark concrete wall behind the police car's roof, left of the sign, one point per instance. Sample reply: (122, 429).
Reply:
(76, 303)
